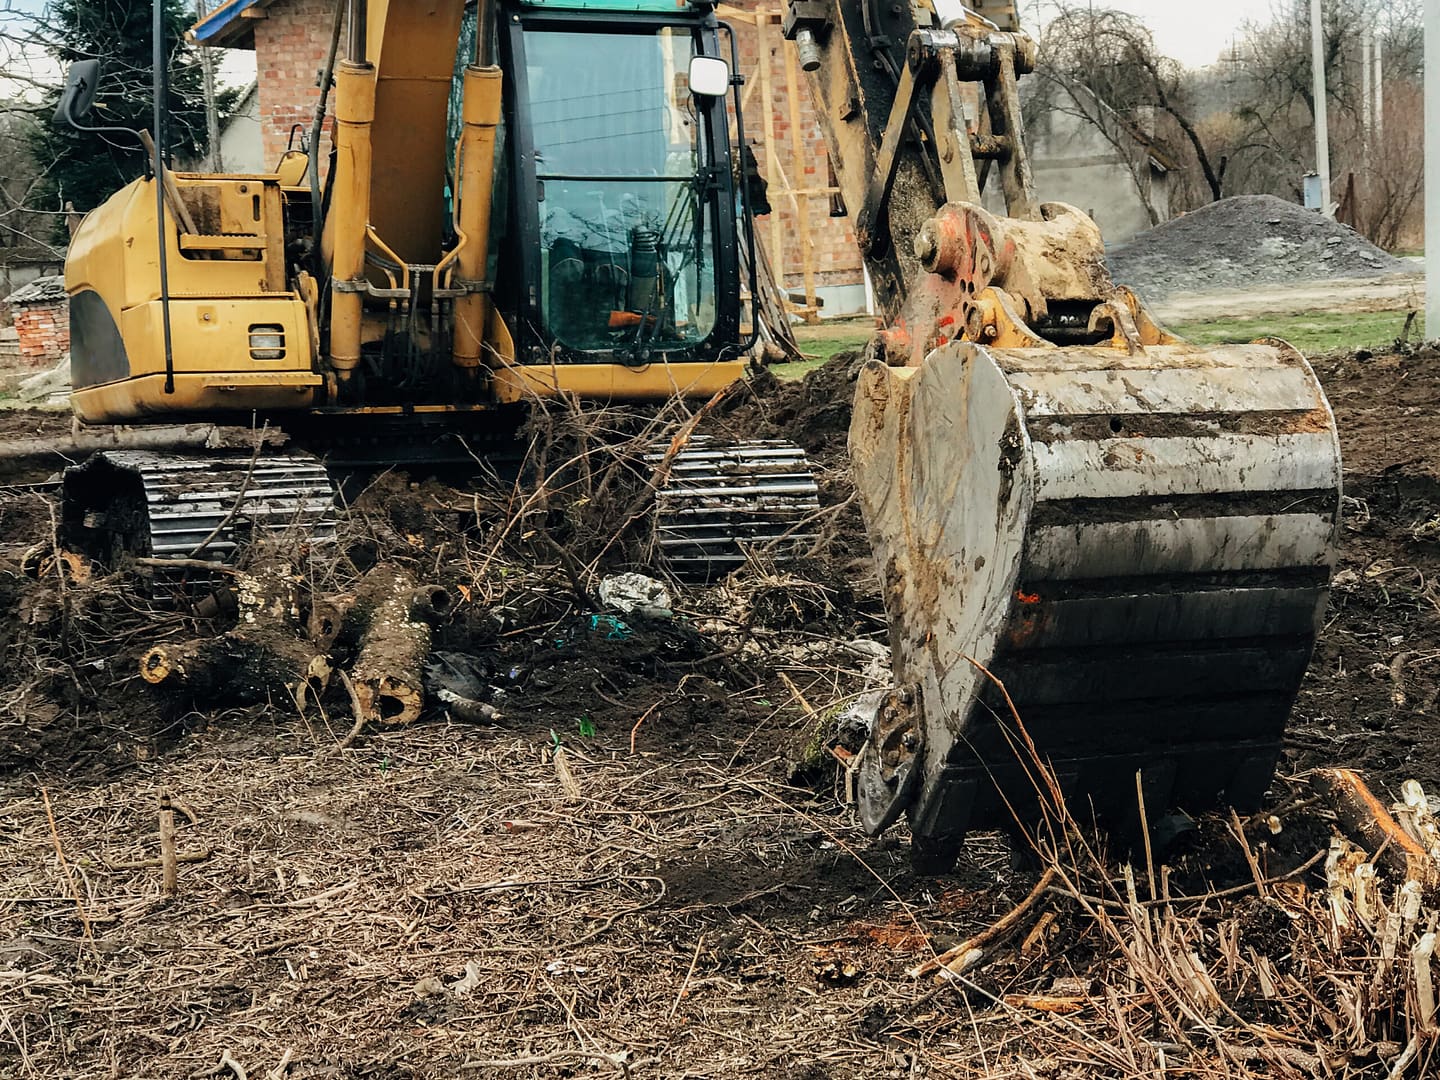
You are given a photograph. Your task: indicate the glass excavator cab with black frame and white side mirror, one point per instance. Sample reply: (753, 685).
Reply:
(626, 221)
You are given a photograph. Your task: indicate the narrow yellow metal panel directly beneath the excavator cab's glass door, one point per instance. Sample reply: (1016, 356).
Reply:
(616, 382)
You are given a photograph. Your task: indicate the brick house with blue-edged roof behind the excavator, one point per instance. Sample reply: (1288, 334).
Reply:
(290, 40)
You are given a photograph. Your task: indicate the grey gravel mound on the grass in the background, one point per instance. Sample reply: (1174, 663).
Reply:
(1246, 241)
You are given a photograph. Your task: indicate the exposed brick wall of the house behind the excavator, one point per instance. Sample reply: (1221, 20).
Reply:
(290, 51)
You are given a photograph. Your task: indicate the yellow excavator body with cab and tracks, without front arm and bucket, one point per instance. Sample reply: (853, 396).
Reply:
(549, 211)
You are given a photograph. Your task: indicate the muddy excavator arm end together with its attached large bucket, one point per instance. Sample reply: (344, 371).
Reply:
(1102, 549)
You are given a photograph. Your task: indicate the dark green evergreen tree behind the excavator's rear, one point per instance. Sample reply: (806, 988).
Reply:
(86, 169)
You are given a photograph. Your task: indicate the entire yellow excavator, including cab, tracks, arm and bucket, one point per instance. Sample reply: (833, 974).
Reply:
(1102, 549)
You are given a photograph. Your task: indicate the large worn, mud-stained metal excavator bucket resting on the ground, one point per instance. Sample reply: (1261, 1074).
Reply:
(1112, 564)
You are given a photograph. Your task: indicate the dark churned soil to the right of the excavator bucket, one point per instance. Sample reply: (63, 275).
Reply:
(1373, 690)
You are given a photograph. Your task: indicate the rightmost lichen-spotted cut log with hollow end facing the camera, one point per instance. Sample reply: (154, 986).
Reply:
(390, 670)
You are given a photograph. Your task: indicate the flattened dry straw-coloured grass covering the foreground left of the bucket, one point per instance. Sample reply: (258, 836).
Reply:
(437, 898)
